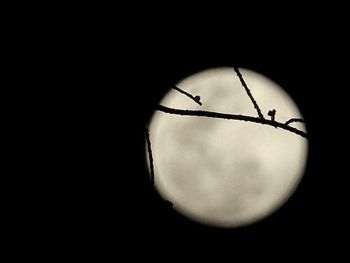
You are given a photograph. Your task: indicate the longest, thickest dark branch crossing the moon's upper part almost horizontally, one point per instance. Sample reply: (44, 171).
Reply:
(210, 114)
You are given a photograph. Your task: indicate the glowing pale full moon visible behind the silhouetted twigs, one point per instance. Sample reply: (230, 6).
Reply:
(226, 173)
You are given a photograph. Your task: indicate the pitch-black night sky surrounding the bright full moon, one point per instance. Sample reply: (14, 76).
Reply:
(88, 81)
